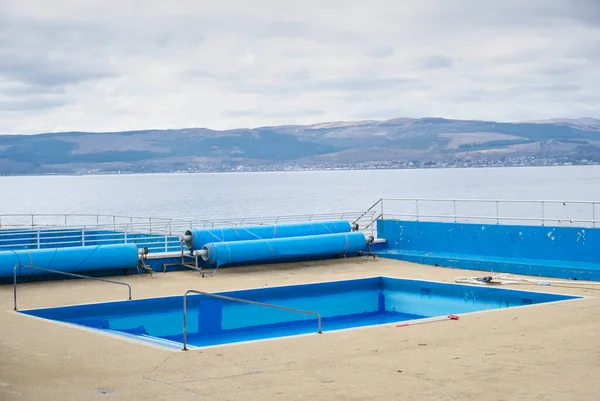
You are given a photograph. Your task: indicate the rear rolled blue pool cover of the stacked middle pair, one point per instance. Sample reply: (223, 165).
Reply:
(203, 236)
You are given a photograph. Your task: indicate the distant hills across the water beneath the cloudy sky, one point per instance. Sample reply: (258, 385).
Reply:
(421, 141)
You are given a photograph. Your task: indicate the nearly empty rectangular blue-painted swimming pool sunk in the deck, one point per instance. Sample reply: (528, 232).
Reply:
(340, 304)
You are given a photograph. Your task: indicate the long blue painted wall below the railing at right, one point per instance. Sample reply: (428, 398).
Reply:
(560, 252)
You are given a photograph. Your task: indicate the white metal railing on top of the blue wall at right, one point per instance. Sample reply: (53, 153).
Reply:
(506, 211)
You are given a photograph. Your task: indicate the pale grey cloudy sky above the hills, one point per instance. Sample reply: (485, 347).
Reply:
(102, 65)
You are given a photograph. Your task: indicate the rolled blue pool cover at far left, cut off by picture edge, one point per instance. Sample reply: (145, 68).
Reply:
(71, 260)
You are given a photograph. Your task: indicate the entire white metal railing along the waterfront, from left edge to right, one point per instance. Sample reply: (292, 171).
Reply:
(34, 231)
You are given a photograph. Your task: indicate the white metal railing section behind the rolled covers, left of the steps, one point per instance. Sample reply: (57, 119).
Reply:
(156, 234)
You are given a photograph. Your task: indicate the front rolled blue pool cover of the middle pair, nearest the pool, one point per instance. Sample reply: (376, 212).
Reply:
(222, 253)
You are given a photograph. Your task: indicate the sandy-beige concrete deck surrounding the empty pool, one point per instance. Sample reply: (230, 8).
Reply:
(539, 352)
